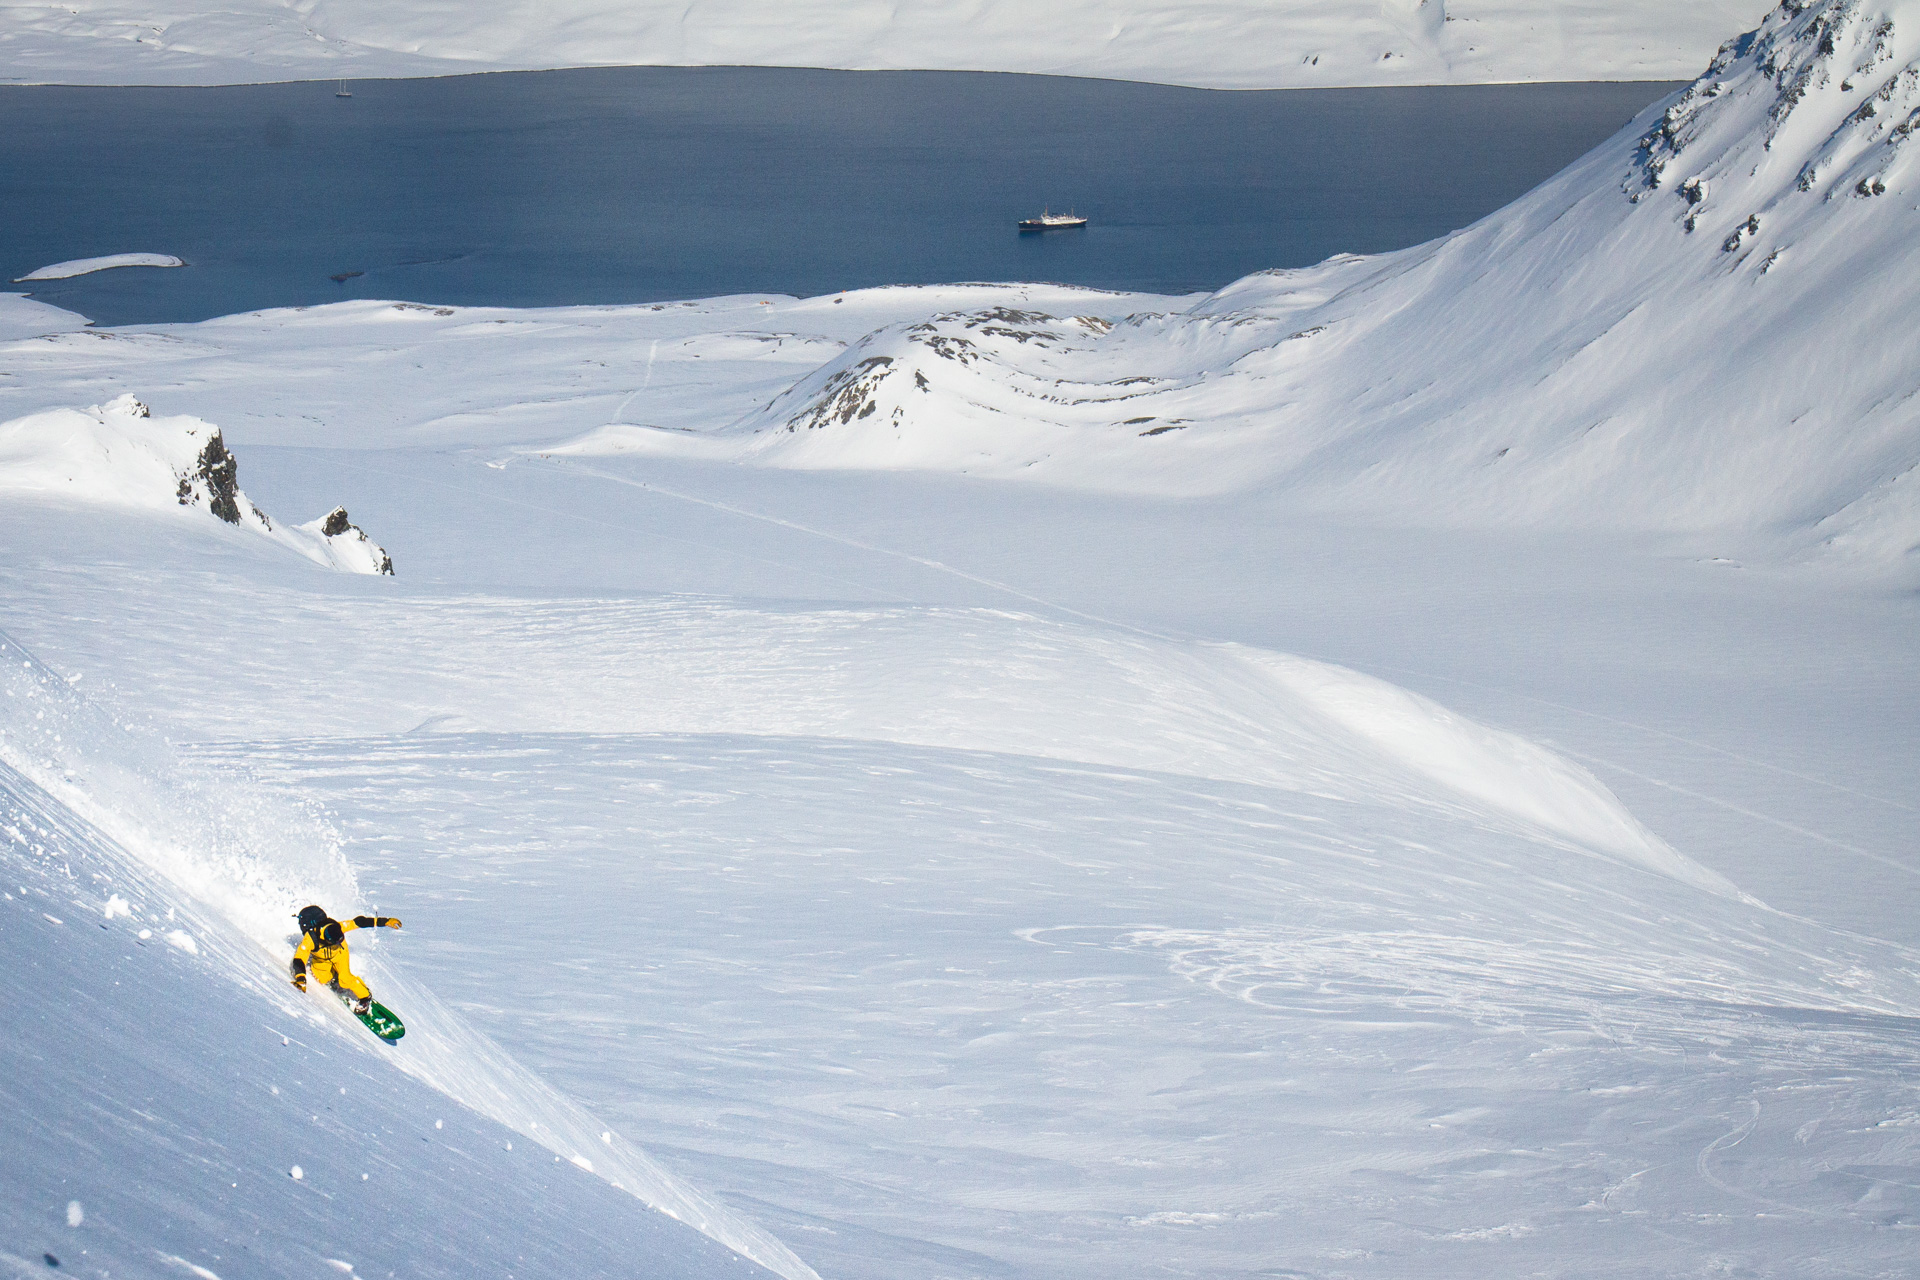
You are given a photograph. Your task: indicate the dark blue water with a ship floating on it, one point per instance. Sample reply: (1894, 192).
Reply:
(652, 183)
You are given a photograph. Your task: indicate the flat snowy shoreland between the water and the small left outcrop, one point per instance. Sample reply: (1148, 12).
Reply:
(408, 375)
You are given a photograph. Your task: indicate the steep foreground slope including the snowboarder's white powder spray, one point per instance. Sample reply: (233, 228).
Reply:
(174, 1106)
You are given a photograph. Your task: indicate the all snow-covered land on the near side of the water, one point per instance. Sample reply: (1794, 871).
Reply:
(1397, 770)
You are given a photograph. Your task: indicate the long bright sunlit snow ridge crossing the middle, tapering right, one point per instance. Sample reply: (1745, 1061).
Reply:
(972, 680)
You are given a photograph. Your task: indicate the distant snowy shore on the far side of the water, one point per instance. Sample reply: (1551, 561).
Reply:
(1220, 45)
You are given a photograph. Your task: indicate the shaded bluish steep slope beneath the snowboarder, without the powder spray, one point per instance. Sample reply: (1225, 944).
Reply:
(156, 1112)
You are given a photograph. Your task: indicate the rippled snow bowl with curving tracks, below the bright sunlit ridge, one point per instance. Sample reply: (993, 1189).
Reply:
(980, 972)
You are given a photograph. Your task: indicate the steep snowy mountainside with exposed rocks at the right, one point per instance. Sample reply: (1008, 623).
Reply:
(1706, 323)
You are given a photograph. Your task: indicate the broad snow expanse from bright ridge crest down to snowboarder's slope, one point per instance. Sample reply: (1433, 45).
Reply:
(982, 941)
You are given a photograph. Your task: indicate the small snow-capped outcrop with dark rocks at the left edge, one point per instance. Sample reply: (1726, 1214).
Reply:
(122, 456)
